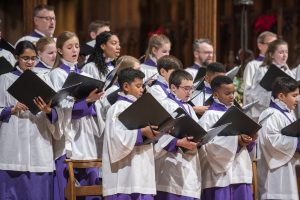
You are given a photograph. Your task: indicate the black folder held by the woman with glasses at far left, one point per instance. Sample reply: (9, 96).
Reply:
(29, 85)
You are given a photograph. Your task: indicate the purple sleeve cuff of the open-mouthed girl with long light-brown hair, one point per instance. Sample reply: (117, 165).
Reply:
(82, 109)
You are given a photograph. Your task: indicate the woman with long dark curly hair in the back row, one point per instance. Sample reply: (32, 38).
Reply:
(107, 50)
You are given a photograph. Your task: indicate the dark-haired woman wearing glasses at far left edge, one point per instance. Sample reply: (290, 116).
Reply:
(26, 155)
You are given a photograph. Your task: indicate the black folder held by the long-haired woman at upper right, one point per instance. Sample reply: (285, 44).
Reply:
(269, 78)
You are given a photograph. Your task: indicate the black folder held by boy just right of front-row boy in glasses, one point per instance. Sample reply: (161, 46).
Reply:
(240, 123)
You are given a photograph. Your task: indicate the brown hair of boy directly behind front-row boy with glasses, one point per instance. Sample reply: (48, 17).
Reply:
(168, 62)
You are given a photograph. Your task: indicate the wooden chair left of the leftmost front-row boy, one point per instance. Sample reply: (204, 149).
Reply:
(72, 191)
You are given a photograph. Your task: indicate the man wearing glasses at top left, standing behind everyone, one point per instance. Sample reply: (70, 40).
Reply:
(44, 23)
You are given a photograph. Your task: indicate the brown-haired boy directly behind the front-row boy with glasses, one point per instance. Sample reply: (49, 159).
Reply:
(165, 66)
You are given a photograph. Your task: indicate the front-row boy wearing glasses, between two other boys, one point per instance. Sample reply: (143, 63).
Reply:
(177, 173)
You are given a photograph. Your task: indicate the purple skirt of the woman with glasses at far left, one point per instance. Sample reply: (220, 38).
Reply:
(19, 185)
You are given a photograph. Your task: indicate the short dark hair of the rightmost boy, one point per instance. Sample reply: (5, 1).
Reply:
(284, 85)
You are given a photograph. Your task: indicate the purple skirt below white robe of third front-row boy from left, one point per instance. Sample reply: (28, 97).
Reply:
(231, 192)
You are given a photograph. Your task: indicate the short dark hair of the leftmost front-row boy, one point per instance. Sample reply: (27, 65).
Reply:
(128, 75)
